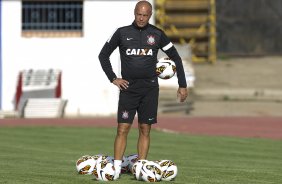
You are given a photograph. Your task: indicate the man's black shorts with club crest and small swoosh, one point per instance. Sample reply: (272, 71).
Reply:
(143, 100)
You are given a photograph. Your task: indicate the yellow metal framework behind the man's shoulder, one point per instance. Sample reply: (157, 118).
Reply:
(190, 21)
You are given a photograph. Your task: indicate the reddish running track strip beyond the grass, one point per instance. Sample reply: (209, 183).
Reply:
(256, 127)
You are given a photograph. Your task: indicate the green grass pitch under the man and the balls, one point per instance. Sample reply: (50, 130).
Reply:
(48, 154)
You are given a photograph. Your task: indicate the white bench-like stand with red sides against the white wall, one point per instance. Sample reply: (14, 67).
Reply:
(38, 94)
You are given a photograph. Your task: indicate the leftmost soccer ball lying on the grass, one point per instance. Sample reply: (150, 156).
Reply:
(85, 164)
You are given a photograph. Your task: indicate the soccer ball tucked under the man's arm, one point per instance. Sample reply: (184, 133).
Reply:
(165, 68)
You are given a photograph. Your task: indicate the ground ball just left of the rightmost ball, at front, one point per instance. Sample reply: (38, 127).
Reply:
(151, 172)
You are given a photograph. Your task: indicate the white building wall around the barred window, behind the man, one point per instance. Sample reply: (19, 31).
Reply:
(84, 84)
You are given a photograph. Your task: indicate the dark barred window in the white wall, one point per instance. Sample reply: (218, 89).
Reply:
(52, 18)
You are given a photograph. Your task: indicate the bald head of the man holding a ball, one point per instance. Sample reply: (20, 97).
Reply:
(142, 12)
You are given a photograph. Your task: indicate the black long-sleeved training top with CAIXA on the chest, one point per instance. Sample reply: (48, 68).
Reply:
(138, 49)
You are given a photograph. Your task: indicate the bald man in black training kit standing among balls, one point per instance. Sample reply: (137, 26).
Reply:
(138, 44)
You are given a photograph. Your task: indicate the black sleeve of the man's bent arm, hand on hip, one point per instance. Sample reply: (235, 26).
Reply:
(104, 56)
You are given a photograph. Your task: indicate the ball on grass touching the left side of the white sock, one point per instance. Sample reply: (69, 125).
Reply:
(105, 170)
